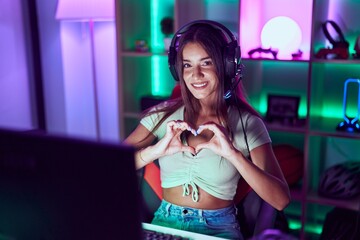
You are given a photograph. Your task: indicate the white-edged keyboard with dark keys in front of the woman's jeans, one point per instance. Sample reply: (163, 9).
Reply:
(152, 232)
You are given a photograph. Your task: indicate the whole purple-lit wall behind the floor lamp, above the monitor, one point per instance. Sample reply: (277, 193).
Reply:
(66, 73)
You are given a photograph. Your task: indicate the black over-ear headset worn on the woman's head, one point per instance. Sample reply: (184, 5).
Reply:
(232, 54)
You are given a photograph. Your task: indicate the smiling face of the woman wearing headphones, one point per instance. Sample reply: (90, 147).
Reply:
(199, 72)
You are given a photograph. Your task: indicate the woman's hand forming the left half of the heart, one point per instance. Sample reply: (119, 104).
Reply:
(171, 143)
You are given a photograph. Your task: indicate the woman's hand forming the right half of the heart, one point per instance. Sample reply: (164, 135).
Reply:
(220, 142)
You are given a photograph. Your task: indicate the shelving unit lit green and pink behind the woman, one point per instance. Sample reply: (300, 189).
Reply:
(319, 83)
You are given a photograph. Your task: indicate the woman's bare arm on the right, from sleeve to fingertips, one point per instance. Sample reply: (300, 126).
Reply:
(263, 173)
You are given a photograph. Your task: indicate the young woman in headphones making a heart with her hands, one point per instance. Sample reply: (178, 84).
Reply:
(207, 139)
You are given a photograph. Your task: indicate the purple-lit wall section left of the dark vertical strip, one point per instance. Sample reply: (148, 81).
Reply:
(15, 96)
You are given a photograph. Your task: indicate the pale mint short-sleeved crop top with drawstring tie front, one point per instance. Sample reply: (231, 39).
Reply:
(212, 173)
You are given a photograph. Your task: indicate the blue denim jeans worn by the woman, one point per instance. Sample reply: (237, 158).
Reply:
(220, 222)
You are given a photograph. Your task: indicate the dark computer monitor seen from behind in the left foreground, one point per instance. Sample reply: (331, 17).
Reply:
(57, 187)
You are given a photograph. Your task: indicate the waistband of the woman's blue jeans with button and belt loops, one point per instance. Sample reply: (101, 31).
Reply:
(174, 209)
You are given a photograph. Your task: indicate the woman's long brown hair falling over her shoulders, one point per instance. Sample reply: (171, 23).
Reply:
(213, 41)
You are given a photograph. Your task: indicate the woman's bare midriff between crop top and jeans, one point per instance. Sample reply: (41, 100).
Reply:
(206, 201)
